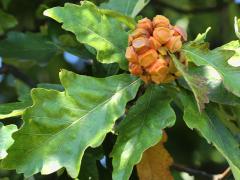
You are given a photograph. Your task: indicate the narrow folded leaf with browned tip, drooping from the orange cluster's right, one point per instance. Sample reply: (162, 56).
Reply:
(196, 83)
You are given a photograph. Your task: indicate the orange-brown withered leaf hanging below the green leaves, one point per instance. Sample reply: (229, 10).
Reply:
(155, 163)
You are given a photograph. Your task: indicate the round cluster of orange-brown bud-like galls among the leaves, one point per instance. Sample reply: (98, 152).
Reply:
(148, 50)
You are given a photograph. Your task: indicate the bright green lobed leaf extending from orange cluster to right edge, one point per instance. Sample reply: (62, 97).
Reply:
(218, 59)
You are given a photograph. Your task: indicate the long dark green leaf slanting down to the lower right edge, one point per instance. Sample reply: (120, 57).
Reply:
(209, 124)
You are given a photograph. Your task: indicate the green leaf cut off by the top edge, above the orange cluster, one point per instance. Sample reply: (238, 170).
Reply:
(128, 8)
